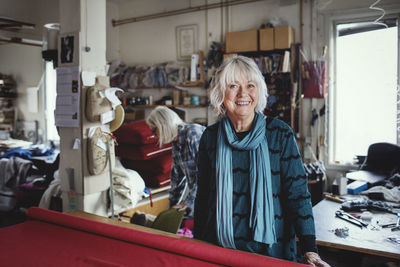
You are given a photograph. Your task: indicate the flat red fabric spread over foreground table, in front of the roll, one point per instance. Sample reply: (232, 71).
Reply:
(42, 244)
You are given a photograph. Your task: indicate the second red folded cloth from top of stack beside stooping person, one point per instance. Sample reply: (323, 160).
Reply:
(142, 152)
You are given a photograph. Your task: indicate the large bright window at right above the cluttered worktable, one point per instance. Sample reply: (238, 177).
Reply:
(364, 90)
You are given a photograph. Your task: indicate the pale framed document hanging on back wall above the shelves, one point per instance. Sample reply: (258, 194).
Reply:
(186, 41)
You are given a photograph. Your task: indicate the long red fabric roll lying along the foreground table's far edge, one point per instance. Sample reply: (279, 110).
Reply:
(179, 247)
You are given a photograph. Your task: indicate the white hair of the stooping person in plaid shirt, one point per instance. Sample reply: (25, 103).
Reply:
(166, 121)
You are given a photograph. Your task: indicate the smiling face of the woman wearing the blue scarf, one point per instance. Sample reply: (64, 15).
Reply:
(241, 98)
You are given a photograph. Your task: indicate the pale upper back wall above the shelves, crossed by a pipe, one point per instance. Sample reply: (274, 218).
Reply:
(154, 41)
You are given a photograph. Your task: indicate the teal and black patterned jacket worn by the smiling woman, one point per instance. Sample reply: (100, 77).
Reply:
(292, 203)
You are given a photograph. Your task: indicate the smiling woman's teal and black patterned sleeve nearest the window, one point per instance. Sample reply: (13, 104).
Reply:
(295, 191)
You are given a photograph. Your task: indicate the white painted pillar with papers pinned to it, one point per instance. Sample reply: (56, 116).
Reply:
(87, 18)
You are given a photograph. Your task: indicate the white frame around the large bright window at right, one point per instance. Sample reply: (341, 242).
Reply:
(330, 20)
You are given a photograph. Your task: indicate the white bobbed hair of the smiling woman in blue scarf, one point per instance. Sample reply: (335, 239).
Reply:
(229, 72)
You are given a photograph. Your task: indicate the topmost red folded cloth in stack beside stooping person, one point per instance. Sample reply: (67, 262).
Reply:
(137, 133)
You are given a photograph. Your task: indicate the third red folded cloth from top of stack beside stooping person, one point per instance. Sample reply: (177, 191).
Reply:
(161, 164)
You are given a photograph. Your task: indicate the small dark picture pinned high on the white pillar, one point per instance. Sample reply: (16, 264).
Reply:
(68, 47)
